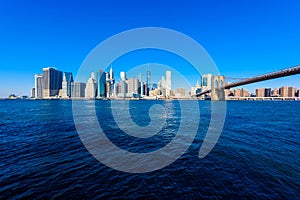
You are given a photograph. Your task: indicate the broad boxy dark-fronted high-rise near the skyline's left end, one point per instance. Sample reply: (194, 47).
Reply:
(52, 82)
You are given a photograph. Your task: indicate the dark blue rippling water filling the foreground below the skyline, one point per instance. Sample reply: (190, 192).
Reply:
(256, 157)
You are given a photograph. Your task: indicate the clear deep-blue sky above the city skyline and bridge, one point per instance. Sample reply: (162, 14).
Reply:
(243, 37)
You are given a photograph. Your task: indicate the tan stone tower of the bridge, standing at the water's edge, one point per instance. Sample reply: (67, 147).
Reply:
(217, 88)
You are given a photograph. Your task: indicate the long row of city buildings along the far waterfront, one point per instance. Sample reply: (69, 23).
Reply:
(57, 84)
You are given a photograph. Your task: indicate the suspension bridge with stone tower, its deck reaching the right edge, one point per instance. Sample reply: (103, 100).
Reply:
(218, 85)
